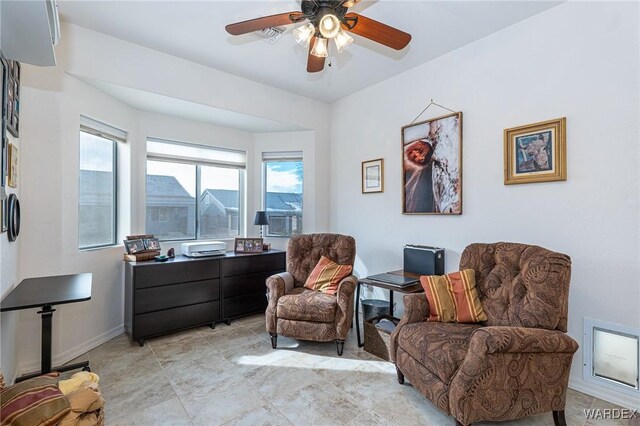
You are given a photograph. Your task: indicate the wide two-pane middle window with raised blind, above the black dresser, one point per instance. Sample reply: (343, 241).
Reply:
(193, 192)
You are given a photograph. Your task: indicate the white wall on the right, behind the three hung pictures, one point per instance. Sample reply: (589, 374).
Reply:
(579, 60)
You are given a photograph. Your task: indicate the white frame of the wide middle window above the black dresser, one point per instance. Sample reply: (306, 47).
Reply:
(198, 184)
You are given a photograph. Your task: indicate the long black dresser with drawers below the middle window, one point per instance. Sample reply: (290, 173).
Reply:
(163, 297)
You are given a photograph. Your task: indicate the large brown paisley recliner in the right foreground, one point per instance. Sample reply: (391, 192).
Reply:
(514, 364)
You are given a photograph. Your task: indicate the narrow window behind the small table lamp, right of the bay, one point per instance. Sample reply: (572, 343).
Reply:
(283, 177)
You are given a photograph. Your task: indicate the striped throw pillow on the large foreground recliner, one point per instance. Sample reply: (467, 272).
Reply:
(453, 297)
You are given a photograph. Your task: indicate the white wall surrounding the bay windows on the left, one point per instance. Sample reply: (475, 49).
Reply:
(52, 101)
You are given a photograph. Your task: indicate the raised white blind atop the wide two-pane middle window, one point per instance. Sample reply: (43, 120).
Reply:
(159, 149)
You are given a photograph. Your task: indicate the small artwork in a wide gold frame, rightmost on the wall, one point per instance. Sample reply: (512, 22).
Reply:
(536, 152)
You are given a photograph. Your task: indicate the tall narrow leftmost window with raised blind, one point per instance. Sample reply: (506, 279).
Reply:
(97, 210)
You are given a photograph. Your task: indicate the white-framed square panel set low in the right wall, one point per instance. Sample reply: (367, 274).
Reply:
(612, 356)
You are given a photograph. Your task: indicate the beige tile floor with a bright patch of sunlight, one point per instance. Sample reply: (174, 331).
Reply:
(230, 376)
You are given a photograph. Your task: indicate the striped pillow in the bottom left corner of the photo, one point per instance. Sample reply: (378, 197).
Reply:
(36, 401)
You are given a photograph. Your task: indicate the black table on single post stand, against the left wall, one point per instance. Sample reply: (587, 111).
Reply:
(44, 293)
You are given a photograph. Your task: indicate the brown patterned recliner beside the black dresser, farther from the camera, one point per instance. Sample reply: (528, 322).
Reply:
(297, 312)
